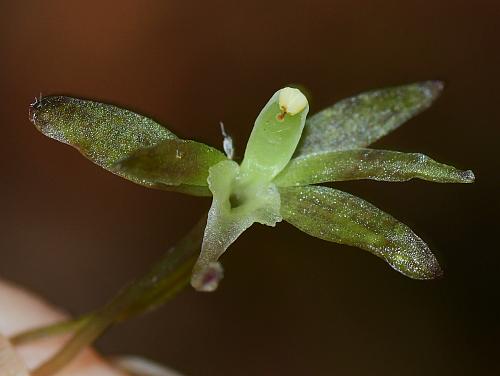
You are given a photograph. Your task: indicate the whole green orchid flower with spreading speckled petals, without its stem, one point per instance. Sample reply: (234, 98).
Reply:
(286, 156)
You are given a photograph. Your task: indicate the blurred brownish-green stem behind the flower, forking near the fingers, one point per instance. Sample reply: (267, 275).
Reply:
(170, 275)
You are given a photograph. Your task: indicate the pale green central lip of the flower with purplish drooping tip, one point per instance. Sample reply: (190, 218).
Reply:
(227, 219)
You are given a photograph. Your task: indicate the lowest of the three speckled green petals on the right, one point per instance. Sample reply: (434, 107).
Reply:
(339, 217)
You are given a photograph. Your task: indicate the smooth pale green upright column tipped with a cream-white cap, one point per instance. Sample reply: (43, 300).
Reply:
(275, 135)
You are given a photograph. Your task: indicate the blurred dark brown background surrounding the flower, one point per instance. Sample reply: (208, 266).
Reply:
(290, 304)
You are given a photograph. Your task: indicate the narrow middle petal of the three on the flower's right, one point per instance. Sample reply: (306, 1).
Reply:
(368, 164)
